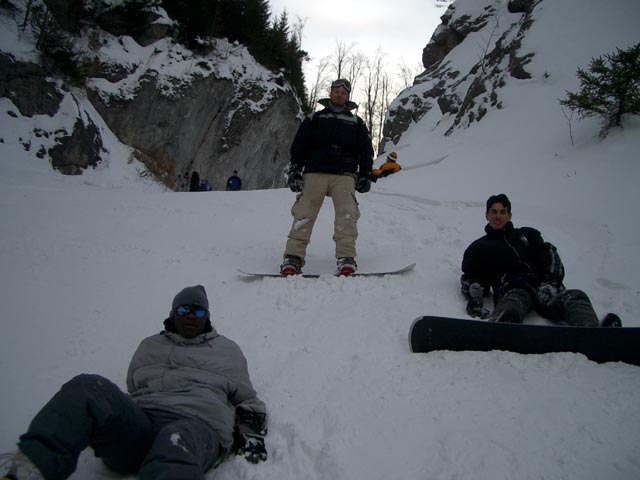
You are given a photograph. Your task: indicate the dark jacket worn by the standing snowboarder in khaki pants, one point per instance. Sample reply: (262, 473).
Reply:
(331, 141)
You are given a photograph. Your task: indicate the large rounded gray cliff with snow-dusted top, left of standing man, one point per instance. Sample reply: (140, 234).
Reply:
(185, 112)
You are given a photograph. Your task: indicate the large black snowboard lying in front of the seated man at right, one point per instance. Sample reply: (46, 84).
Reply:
(600, 344)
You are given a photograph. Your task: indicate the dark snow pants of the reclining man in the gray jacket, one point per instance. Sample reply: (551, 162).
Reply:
(89, 410)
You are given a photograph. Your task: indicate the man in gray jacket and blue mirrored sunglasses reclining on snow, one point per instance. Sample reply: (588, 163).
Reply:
(187, 386)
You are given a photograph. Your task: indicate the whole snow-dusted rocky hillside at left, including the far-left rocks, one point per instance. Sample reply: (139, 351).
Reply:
(214, 111)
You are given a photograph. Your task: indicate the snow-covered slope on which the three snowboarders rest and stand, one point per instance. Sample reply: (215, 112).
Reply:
(90, 265)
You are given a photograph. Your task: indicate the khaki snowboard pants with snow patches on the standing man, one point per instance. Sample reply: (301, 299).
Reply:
(317, 186)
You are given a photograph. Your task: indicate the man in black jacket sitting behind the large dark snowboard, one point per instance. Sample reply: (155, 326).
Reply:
(524, 272)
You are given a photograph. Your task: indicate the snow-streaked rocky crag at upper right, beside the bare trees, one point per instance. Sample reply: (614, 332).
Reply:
(458, 92)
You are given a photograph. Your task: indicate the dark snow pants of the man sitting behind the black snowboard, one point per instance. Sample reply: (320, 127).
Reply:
(570, 307)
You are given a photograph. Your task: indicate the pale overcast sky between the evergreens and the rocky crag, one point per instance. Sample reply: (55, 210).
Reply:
(401, 28)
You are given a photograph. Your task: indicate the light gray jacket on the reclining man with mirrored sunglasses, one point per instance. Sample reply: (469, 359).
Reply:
(204, 377)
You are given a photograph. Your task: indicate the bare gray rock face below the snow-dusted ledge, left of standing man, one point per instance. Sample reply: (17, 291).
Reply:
(209, 128)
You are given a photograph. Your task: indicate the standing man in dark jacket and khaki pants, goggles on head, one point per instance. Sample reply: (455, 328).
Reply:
(331, 156)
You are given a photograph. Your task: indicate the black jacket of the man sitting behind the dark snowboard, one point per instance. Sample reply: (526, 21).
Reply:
(511, 258)
